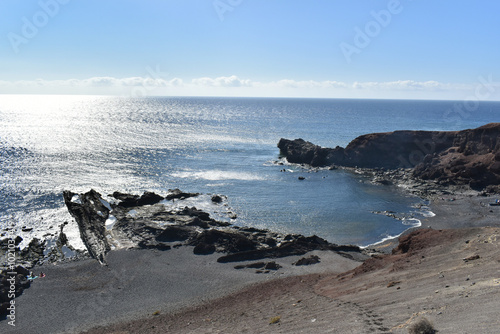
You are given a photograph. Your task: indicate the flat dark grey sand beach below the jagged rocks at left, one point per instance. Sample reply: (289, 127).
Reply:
(137, 283)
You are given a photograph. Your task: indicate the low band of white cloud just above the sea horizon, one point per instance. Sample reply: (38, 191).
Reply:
(484, 89)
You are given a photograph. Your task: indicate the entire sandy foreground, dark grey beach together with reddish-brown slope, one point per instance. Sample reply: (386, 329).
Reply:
(177, 292)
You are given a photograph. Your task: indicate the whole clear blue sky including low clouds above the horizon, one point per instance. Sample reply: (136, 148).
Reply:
(407, 49)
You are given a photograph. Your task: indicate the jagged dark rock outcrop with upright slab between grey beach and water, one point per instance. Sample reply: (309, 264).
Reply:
(154, 226)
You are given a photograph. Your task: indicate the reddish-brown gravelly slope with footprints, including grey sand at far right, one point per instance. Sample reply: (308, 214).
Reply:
(385, 296)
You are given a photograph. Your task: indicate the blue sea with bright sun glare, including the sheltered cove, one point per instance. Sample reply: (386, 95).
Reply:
(209, 145)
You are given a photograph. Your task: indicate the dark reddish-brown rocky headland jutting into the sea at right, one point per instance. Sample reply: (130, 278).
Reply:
(453, 157)
